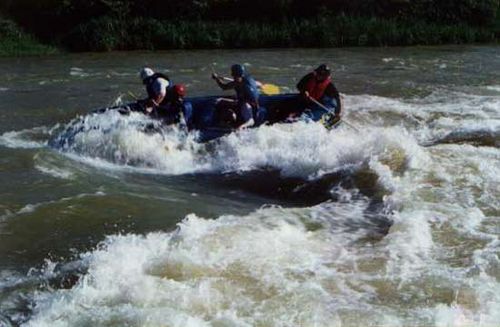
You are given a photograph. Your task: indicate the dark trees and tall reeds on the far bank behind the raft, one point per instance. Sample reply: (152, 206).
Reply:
(103, 25)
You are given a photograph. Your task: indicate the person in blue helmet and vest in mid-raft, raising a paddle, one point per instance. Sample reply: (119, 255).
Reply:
(240, 112)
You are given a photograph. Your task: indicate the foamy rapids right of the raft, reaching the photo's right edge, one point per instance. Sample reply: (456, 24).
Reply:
(431, 117)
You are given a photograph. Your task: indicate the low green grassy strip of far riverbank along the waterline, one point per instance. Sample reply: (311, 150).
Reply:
(108, 34)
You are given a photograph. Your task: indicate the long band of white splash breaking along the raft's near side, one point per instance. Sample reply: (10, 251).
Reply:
(302, 149)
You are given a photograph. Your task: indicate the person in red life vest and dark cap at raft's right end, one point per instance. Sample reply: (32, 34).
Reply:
(318, 85)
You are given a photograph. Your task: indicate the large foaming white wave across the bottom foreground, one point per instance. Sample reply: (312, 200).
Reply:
(318, 266)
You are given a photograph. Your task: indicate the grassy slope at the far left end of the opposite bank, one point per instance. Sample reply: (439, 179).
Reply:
(15, 42)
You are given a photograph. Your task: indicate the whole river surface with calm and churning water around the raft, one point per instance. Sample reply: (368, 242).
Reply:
(396, 224)
